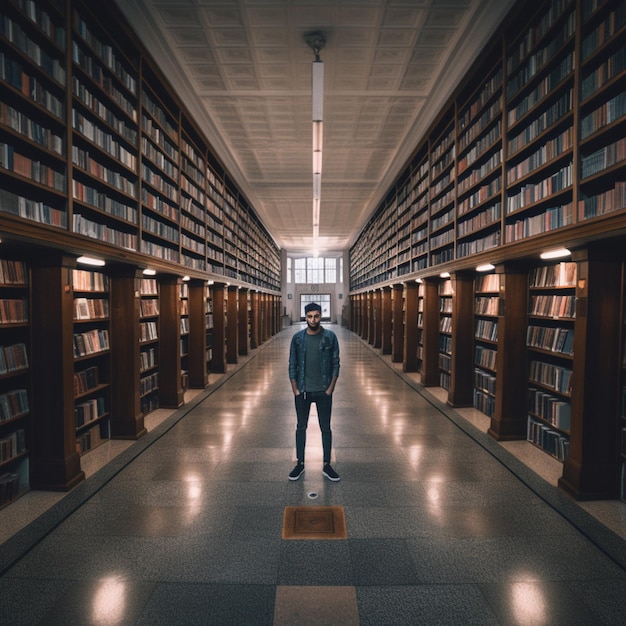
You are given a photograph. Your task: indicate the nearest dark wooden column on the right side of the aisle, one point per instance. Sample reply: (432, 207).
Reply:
(591, 471)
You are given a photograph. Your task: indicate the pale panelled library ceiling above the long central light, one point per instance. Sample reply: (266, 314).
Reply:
(243, 69)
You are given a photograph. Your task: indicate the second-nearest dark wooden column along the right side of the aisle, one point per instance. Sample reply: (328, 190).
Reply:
(510, 414)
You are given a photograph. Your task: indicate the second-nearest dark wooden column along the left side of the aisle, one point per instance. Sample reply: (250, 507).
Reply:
(126, 416)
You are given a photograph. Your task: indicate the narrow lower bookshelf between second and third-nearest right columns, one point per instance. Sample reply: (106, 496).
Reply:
(486, 311)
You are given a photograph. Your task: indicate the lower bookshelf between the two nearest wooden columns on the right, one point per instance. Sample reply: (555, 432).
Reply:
(550, 344)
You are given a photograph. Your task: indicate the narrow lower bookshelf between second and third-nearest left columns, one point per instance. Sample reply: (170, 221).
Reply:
(149, 345)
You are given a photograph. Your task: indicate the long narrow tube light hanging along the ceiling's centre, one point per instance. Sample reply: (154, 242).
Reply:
(316, 41)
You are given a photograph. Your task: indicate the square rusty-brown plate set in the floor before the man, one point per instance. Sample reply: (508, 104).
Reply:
(314, 522)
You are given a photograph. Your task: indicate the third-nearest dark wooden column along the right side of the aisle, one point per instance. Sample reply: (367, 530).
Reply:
(461, 392)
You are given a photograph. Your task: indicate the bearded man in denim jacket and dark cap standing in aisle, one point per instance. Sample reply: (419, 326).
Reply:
(313, 372)
